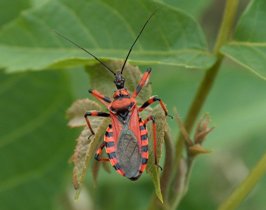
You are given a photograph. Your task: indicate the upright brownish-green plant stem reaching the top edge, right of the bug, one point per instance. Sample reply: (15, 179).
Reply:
(207, 83)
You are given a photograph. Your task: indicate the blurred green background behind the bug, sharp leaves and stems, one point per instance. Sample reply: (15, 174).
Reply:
(36, 144)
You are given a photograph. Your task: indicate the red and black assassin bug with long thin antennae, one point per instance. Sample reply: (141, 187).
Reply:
(126, 138)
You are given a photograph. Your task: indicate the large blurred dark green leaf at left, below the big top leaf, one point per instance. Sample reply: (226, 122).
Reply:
(34, 142)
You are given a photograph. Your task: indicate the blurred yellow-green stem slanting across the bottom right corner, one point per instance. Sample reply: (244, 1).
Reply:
(248, 184)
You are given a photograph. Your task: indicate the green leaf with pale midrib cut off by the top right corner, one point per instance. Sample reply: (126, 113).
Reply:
(248, 47)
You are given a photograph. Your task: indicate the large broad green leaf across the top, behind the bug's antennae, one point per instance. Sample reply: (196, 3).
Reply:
(171, 37)
